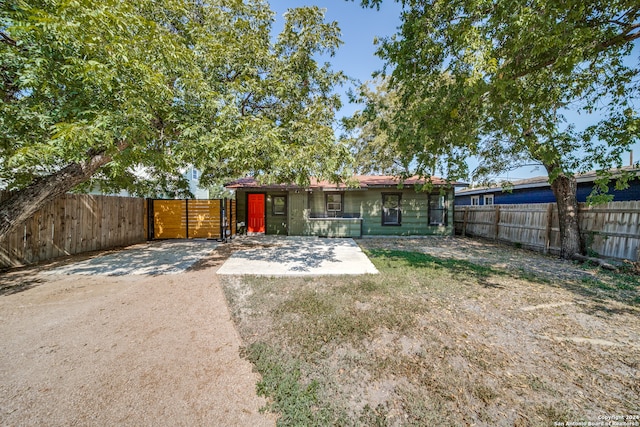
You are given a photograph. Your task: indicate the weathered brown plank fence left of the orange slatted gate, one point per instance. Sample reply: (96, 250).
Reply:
(72, 224)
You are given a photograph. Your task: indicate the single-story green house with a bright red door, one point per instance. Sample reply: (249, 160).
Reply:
(375, 206)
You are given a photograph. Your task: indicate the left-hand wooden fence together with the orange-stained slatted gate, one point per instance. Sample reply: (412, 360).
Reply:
(77, 223)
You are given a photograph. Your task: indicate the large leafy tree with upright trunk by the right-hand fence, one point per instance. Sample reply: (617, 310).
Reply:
(544, 82)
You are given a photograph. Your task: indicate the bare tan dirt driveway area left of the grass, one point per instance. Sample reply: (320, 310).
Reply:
(126, 350)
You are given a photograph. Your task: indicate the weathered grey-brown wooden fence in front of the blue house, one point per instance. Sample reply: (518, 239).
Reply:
(611, 230)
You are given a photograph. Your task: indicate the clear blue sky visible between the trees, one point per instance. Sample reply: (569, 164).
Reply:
(357, 59)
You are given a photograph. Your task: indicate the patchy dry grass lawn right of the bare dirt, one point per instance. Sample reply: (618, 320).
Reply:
(441, 341)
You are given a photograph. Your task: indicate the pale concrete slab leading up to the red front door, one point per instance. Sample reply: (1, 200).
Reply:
(299, 256)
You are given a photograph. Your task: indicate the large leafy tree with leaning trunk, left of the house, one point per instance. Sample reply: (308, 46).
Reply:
(93, 90)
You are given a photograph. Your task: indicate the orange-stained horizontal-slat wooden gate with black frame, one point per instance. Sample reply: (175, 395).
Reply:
(186, 218)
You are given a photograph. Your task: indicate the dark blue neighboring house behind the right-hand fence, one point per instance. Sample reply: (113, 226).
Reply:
(538, 190)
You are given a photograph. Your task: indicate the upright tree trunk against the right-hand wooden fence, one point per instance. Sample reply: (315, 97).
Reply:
(565, 188)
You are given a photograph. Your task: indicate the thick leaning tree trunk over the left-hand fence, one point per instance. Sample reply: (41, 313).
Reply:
(24, 203)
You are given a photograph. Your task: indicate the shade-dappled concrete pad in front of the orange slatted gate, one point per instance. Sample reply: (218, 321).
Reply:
(153, 258)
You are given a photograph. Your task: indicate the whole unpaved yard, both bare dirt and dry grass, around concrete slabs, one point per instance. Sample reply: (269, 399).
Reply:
(451, 332)
